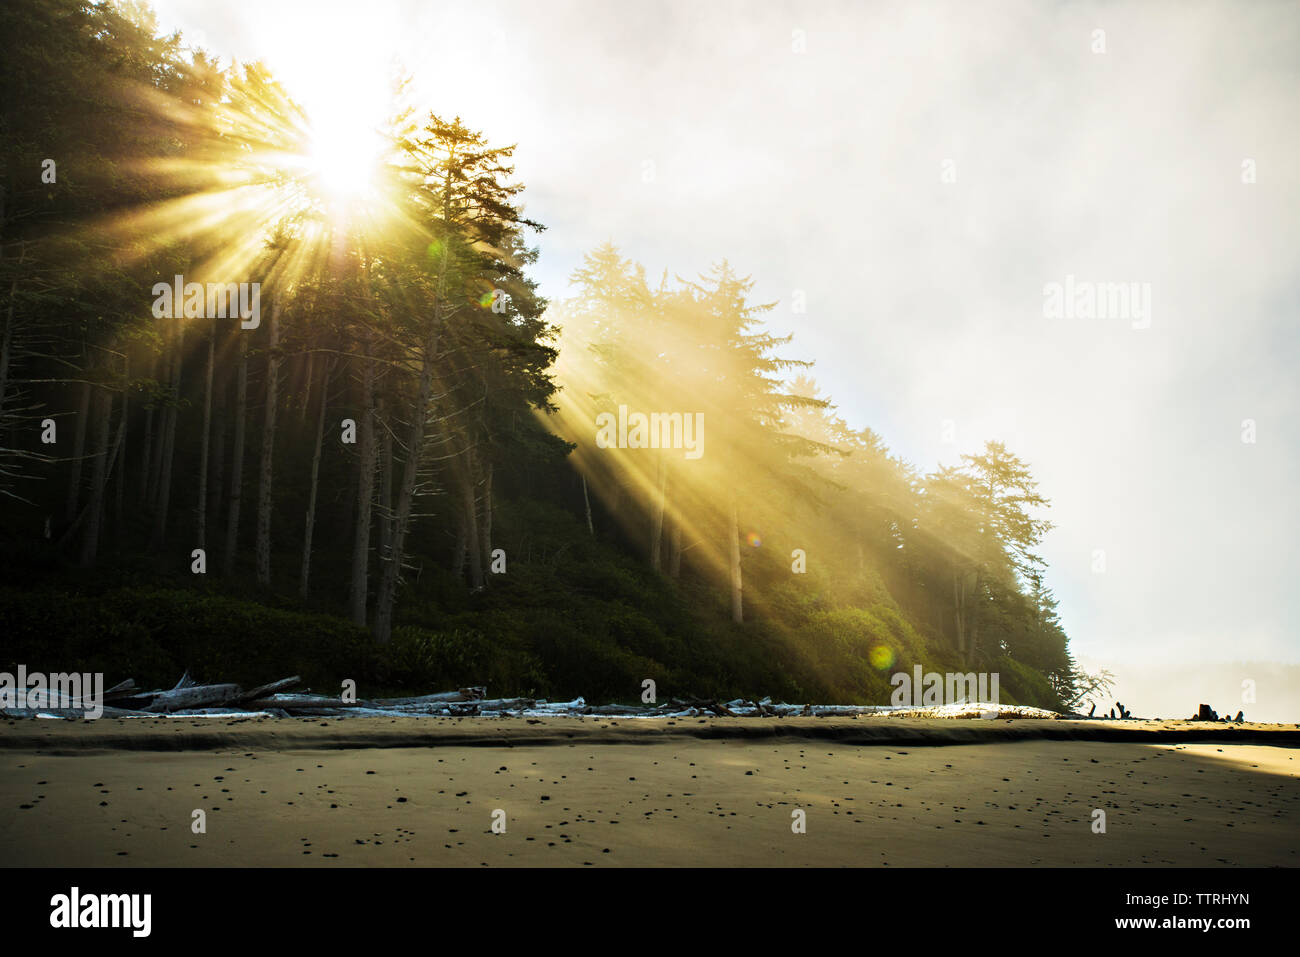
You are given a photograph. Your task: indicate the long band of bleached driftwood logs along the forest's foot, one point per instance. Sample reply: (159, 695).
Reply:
(190, 699)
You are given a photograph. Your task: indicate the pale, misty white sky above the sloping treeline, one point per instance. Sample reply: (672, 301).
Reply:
(917, 175)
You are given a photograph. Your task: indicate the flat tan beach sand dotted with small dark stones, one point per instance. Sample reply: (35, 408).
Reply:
(597, 793)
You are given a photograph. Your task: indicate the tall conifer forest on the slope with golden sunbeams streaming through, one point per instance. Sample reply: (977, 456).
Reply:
(396, 474)
